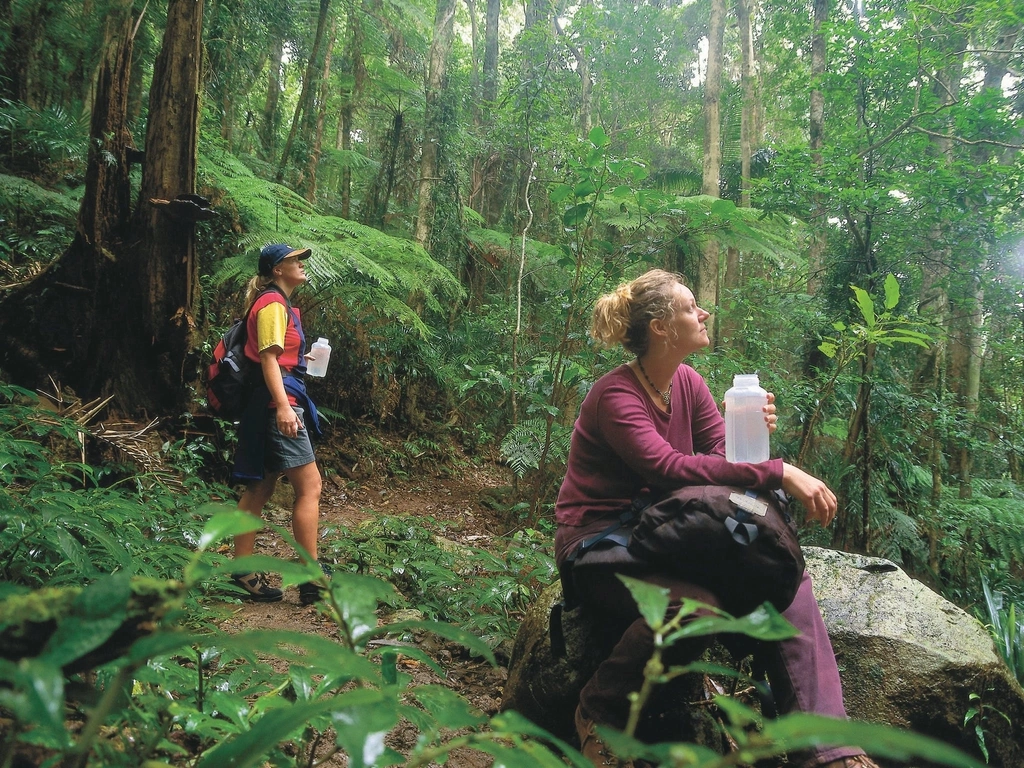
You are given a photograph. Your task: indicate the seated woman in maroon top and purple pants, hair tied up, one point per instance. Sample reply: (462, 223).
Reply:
(653, 423)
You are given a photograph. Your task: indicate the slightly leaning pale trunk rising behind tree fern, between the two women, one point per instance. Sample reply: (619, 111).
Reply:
(441, 48)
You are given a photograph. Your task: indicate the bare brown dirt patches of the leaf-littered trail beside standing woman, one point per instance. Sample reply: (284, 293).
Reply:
(456, 499)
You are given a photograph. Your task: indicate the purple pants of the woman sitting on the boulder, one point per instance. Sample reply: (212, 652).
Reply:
(802, 670)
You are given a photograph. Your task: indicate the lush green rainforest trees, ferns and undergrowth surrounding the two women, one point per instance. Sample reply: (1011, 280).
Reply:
(840, 183)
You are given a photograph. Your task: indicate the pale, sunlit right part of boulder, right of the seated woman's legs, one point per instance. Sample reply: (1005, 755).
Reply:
(911, 659)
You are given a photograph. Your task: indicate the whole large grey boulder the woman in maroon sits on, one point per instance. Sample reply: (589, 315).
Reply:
(908, 658)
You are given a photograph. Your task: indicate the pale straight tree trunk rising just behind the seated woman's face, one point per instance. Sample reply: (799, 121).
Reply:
(708, 279)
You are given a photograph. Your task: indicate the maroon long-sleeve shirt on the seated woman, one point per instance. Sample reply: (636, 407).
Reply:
(623, 444)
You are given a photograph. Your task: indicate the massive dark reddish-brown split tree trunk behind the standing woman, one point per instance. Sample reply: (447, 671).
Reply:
(114, 315)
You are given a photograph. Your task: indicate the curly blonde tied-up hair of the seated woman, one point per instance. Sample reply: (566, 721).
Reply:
(624, 316)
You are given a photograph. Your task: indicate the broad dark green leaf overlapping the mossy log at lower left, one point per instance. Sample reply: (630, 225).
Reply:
(97, 614)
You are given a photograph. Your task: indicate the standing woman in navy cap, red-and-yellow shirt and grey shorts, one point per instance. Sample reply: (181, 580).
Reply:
(275, 431)
